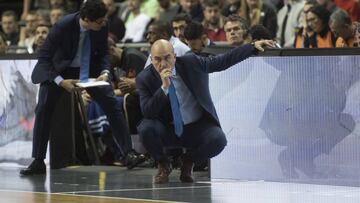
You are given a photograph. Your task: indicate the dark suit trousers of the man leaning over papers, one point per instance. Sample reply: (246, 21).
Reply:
(50, 93)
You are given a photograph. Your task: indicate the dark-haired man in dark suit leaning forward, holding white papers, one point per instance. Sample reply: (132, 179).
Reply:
(76, 46)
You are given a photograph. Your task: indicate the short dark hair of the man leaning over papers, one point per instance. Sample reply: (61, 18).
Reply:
(92, 9)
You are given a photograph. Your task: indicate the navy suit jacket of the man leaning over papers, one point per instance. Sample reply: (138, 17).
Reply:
(60, 47)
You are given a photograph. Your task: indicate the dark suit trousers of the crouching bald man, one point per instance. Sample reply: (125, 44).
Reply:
(203, 139)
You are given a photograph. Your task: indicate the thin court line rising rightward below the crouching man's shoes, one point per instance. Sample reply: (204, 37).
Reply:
(135, 189)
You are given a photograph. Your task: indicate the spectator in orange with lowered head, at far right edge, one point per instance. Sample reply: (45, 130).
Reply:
(348, 33)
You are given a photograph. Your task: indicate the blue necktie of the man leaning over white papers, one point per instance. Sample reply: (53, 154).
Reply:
(85, 58)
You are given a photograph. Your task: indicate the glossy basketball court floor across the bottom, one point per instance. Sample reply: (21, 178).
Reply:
(116, 184)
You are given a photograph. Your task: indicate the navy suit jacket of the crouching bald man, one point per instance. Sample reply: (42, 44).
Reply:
(194, 72)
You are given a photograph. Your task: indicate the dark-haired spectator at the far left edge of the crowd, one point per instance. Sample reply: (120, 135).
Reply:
(9, 24)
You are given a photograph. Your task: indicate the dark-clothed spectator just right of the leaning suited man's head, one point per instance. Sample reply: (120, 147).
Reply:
(116, 25)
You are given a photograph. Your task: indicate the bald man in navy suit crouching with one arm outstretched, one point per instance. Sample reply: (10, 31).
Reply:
(177, 107)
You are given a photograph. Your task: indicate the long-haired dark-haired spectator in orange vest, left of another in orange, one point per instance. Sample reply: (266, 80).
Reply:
(318, 19)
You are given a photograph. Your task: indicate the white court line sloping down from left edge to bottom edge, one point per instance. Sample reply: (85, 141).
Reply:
(92, 196)
